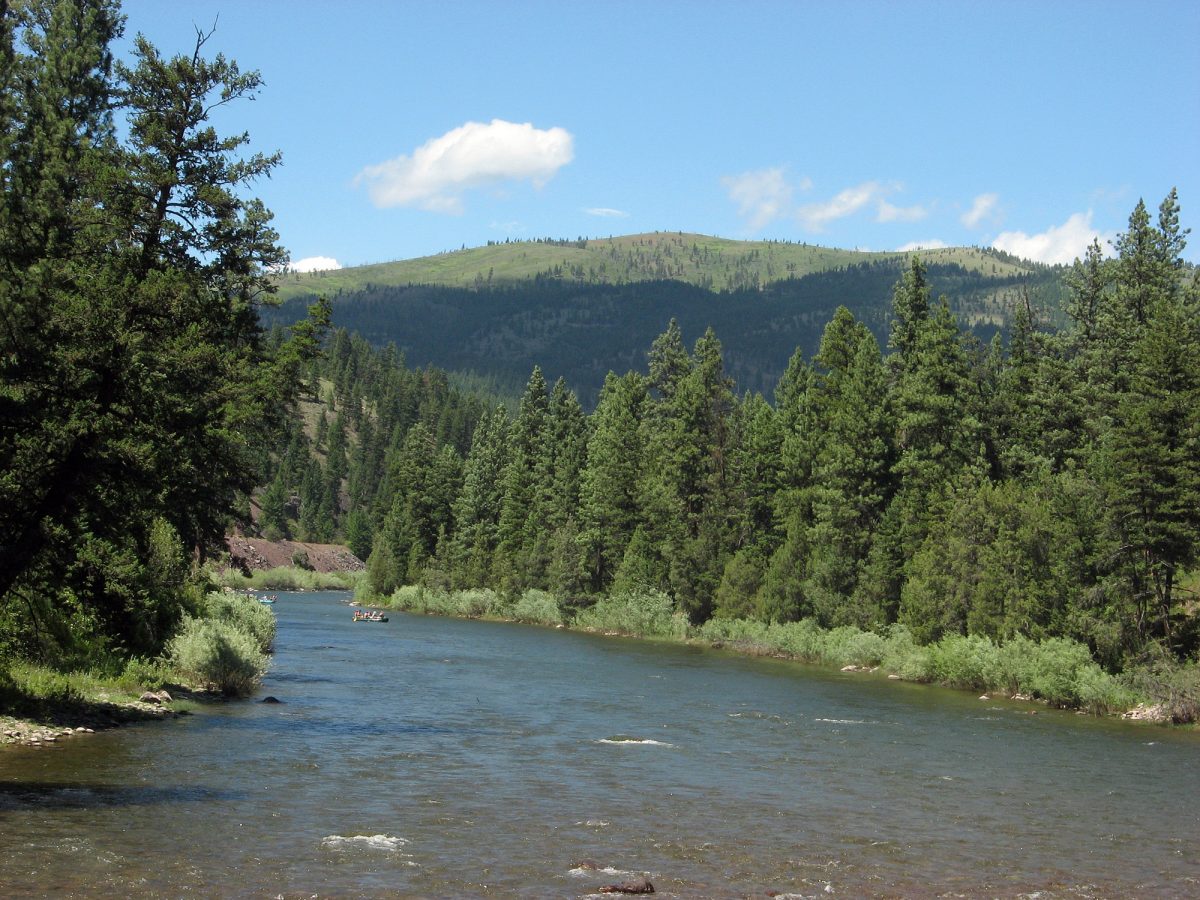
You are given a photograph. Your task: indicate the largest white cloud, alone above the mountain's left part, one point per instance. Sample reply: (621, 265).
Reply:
(473, 155)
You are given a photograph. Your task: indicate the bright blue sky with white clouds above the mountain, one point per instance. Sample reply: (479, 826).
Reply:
(409, 129)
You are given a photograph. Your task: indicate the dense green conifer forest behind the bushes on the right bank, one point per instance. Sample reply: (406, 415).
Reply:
(1042, 487)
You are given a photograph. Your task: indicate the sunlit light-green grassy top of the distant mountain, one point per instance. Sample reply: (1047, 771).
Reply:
(711, 263)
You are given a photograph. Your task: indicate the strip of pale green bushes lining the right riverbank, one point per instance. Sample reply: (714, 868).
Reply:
(1057, 671)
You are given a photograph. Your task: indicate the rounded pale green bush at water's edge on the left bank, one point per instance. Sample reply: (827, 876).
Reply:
(218, 655)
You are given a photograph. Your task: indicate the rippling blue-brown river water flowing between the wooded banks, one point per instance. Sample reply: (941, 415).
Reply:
(440, 758)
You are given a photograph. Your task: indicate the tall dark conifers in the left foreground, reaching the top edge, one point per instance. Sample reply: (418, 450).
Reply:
(139, 397)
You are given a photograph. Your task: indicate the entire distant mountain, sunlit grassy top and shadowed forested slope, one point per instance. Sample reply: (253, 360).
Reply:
(583, 329)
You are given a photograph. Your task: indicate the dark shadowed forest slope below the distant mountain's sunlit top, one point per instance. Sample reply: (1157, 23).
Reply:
(583, 331)
